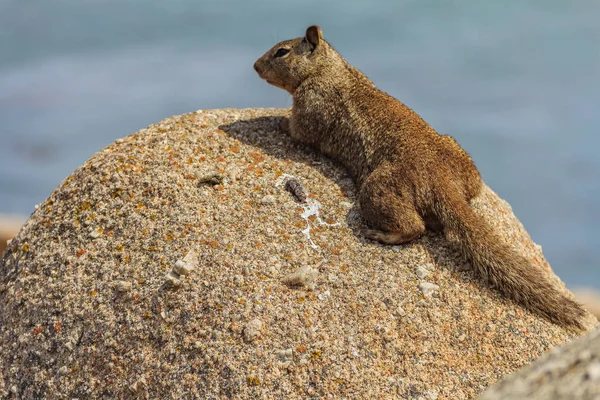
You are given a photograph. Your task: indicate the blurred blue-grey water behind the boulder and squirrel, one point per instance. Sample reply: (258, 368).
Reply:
(517, 83)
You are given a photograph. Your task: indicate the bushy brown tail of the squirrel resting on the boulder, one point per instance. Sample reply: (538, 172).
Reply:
(506, 270)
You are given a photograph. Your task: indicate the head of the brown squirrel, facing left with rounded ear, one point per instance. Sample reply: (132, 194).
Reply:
(287, 64)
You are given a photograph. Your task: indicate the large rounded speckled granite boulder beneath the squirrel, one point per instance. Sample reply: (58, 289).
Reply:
(176, 264)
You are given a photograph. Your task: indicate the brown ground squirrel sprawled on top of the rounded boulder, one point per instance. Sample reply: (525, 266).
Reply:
(409, 177)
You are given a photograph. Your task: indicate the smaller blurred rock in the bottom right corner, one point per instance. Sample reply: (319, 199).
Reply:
(570, 372)
